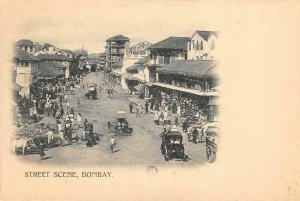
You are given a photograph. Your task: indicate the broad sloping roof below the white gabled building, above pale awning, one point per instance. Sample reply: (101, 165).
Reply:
(189, 67)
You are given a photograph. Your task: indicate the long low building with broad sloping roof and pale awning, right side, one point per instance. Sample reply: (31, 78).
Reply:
(196, 80)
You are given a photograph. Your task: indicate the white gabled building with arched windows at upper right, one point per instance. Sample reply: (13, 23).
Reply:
(202, 45)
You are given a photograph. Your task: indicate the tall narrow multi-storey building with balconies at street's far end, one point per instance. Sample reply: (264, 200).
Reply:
(115, 49)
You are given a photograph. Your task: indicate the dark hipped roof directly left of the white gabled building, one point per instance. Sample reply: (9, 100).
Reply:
(172, 43)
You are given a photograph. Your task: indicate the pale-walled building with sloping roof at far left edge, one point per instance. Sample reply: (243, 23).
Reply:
(26, 67)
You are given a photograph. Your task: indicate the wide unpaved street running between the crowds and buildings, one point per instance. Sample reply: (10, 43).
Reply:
(141, 148)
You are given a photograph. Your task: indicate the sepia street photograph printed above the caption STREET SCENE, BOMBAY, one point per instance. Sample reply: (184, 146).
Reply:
(128, 104)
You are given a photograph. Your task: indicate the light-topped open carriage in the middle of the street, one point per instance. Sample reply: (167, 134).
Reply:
(120, 126)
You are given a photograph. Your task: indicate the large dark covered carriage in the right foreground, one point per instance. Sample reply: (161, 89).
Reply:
(172, 146)
